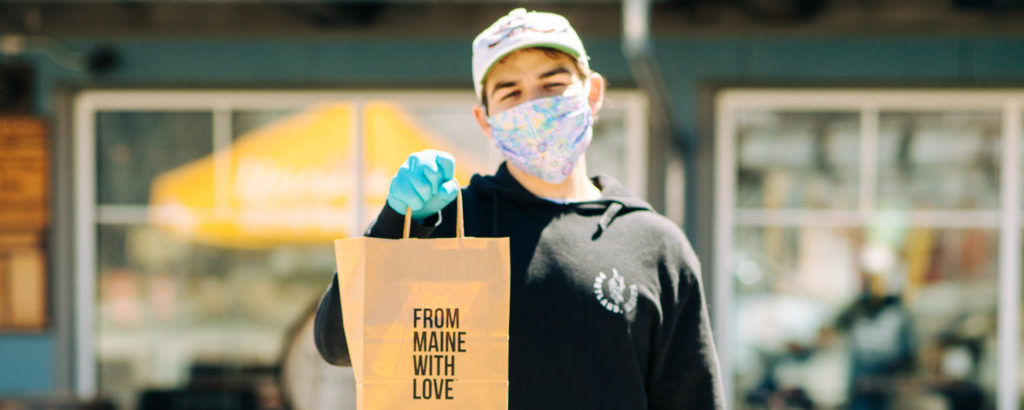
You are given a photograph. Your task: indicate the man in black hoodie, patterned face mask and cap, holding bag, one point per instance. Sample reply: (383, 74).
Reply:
(608, 310)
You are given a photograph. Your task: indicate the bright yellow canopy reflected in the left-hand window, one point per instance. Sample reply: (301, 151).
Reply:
(294, 181)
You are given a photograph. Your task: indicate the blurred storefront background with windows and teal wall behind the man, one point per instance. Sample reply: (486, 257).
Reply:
(173, 175)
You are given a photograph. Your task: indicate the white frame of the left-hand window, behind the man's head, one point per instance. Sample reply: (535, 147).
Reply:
(222, 103)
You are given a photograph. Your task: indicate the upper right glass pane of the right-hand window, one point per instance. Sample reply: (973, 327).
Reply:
(940, 160)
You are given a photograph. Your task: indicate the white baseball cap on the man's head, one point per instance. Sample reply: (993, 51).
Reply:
(522, 29)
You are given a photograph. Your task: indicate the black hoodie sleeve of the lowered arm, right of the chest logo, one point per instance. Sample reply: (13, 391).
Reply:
(686, 371)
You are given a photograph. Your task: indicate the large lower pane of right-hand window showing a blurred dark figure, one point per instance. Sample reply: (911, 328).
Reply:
(866, 319)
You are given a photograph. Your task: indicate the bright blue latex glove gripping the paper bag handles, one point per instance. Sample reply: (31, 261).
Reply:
(425, 184)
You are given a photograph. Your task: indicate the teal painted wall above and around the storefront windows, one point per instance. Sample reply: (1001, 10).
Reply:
(27, 362)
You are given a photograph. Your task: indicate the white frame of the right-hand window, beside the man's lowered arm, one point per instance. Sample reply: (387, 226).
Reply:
(870, 103)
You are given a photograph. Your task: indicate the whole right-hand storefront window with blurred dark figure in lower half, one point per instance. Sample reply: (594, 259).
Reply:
(865, 252)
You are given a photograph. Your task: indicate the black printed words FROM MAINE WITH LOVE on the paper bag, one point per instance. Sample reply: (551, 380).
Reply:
(434, 352)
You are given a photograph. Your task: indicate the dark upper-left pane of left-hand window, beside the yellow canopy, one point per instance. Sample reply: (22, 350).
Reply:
(134, 147)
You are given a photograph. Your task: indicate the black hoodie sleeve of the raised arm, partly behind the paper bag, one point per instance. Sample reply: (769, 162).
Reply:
(329, 331)
